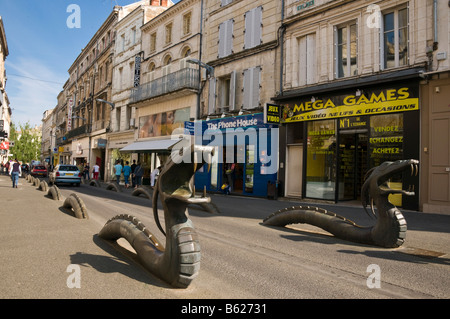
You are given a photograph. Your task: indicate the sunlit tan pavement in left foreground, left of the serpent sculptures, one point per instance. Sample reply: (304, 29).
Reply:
(41, 241)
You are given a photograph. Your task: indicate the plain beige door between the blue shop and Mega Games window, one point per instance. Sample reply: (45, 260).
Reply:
(294, 170)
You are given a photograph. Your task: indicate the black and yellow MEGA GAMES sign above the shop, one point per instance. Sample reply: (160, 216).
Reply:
(359, 103)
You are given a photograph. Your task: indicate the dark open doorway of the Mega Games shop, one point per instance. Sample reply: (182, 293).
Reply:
(352, 163)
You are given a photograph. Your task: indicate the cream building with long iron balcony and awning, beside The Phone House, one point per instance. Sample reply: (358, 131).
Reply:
(167, 95)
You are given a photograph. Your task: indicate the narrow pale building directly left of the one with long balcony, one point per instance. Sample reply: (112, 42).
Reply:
(126, 75)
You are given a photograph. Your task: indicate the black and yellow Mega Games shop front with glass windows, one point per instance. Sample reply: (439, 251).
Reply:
(343, 135)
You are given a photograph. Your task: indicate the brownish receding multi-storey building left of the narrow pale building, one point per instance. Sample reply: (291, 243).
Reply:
(88, 89)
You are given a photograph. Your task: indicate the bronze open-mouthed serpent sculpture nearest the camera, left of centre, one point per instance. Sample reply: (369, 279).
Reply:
(178, 262)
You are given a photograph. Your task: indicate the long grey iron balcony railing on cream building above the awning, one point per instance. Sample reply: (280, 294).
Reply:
(183, 79)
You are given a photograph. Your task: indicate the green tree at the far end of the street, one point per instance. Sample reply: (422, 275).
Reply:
(27, 142)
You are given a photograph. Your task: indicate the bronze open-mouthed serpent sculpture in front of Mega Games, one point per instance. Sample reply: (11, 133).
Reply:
(390, 228)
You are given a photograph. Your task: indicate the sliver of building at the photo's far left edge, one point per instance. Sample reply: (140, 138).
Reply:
(5, 110)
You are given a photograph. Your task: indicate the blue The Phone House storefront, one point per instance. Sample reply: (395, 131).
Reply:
(245, 160)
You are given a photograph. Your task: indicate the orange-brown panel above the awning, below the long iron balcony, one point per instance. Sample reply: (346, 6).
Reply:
(162, 124)
